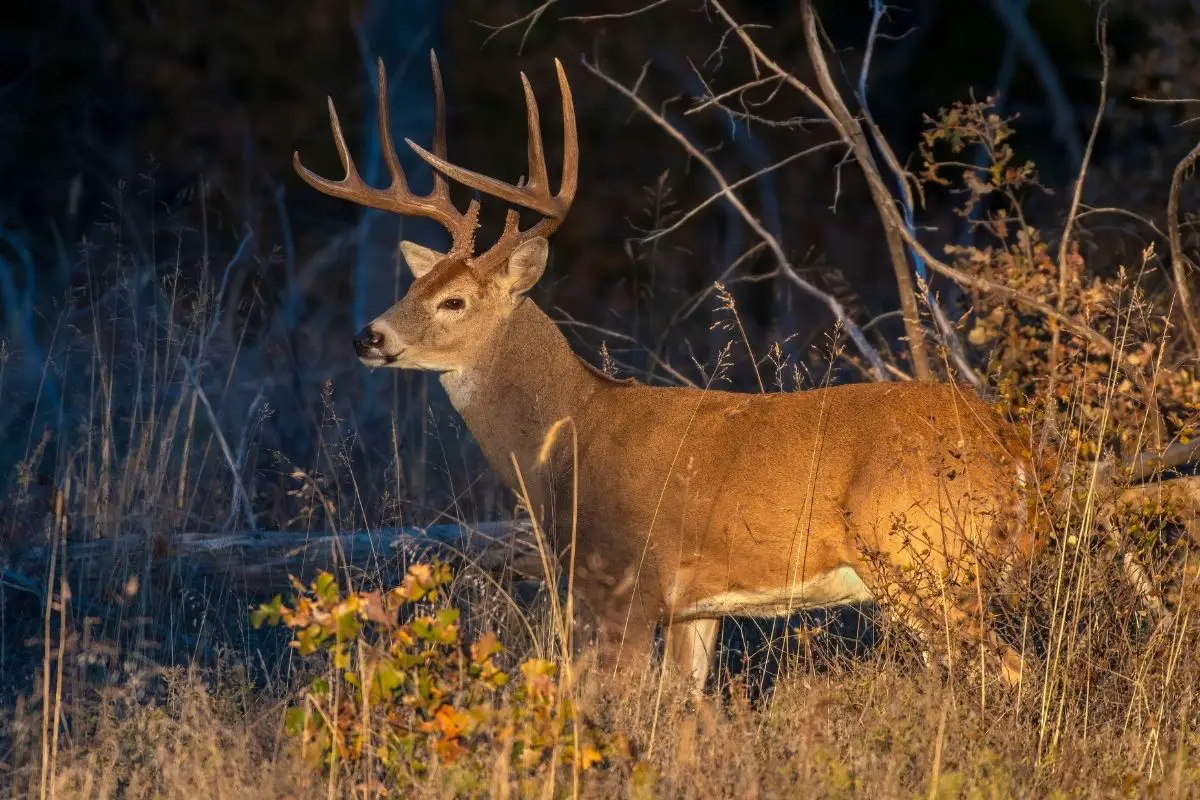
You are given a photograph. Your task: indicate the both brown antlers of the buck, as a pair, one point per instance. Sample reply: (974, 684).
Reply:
(533, 194)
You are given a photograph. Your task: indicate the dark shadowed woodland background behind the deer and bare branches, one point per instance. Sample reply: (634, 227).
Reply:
(146, 151)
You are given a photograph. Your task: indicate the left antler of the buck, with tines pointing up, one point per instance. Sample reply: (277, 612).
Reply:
(399, 199)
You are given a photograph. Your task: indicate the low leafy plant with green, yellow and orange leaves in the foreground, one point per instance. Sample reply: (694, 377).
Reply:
(403, 696)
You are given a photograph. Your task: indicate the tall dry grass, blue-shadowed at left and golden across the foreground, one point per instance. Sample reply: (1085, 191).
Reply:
(175, 411)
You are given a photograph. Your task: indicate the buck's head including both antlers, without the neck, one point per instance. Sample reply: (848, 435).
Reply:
(459, 302)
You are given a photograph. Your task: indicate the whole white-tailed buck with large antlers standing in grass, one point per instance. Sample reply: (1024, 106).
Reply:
(693, 504)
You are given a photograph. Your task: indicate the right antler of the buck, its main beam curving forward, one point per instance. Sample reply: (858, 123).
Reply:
(533, 194)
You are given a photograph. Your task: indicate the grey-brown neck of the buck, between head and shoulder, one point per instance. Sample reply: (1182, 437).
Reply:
(512, 396)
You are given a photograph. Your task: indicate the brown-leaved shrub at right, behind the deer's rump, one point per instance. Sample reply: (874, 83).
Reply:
(1144, 396)
